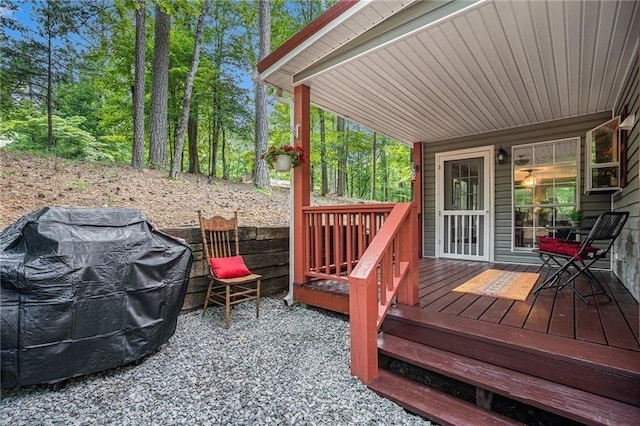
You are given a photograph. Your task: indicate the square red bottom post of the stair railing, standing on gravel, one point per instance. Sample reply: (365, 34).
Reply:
(363, 314)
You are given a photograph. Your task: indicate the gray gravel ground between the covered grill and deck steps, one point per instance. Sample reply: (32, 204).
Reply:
(290, 366)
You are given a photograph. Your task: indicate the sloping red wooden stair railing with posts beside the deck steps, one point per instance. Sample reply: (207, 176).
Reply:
(386, 271)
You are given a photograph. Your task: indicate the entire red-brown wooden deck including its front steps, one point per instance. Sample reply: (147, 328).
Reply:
(552, 351)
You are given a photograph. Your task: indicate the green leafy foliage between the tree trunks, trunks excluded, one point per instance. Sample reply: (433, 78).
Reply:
(93, 51)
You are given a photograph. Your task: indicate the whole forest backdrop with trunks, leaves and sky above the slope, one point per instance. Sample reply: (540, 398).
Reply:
(167, 84)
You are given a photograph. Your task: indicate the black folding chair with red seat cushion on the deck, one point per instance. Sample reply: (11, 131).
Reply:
(580, 257)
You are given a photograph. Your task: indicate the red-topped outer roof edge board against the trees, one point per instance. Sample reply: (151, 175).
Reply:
(299, 46)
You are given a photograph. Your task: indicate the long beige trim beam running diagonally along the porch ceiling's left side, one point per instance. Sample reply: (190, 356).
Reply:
(415, 18)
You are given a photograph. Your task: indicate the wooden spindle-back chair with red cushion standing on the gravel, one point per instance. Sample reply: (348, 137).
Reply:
(233, 283)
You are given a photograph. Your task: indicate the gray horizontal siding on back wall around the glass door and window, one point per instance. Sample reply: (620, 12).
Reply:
(559, 129)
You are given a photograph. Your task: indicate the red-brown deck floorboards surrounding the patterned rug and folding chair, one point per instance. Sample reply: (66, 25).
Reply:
(558, 313)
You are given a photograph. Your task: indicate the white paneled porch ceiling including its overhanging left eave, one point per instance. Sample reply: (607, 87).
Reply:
(429, 71)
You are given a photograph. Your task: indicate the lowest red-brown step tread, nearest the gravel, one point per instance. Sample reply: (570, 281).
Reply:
(432, 404)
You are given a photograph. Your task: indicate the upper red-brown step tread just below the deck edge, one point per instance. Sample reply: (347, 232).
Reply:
(560, 399)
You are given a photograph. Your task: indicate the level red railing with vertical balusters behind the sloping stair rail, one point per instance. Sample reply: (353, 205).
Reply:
(338, 236)
